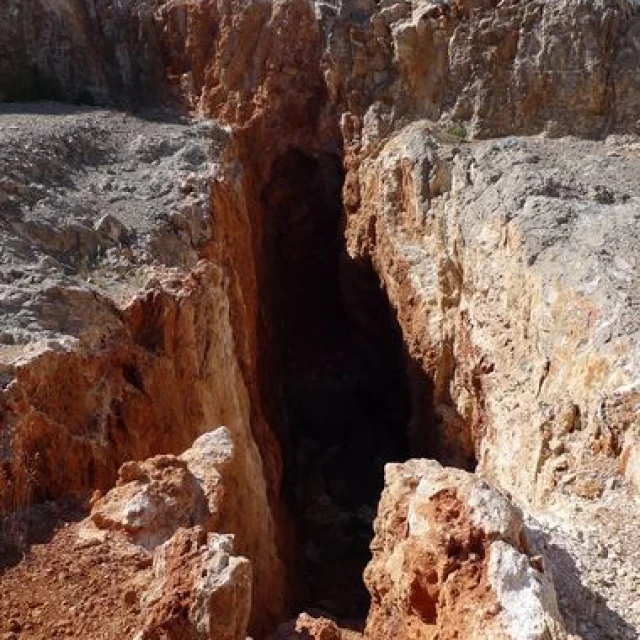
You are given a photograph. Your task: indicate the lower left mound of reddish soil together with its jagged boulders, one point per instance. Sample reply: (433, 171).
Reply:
(180, 573)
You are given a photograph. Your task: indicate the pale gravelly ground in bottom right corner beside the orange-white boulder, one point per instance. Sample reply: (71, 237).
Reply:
(592, 548)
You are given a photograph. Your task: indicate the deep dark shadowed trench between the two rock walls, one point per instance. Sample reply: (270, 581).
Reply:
(342, 377)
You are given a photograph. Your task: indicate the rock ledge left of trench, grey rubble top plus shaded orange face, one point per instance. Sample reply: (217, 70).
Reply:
(73, 295)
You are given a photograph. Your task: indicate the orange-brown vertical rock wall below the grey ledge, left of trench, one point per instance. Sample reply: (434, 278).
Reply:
(169, 374)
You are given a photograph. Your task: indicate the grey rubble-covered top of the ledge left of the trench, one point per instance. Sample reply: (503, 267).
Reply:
(91, 200)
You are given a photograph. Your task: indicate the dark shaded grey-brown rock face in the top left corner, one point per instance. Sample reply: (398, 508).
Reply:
(89, 52)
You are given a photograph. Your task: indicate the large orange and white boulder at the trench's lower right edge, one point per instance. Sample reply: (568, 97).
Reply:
(450, 559)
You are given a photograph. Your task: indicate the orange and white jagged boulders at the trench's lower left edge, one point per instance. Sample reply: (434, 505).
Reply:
(175, 508)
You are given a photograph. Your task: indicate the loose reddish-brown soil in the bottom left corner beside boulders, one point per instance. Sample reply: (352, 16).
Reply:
(69, 589)
